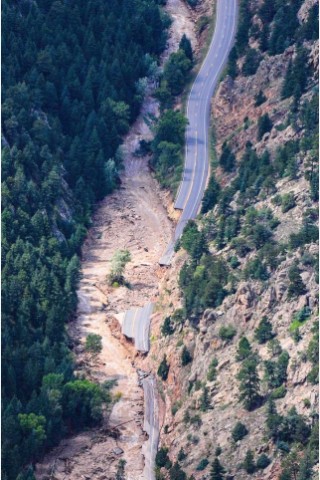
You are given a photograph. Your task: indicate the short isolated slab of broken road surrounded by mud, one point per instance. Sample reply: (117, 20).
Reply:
(136, 325)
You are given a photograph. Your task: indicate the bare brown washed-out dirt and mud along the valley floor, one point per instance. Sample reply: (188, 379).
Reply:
(133, 218)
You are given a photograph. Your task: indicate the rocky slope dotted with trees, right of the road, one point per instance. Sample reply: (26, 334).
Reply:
(238, 325)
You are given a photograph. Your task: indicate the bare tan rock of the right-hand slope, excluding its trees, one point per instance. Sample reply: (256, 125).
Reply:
(202, 396)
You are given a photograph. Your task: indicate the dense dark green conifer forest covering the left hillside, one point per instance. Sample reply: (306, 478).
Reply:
(74, 75)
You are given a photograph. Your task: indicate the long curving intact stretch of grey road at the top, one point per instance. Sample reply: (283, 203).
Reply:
(196, 168)
